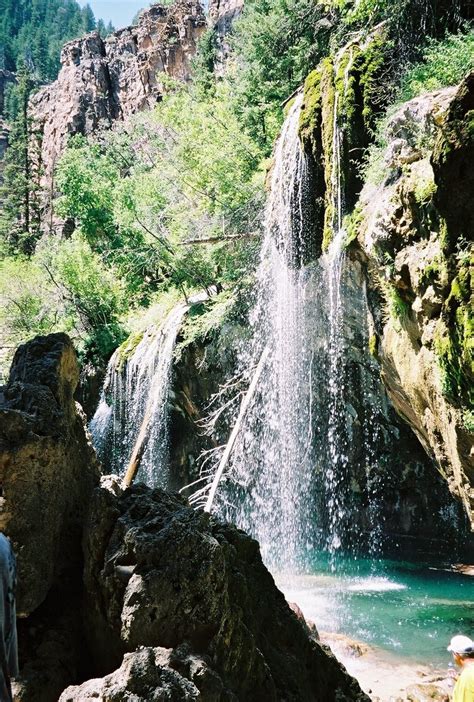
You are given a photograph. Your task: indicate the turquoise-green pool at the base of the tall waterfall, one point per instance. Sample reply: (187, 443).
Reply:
(409, 610)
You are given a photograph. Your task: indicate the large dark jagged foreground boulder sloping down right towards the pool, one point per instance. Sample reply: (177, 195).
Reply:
(160, 574)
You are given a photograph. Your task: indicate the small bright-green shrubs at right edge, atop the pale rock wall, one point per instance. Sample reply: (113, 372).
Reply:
(445, 62)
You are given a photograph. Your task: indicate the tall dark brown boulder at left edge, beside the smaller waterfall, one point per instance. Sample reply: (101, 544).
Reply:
(48, 468)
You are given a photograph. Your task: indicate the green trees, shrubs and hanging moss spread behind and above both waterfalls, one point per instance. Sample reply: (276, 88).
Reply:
(172, 199)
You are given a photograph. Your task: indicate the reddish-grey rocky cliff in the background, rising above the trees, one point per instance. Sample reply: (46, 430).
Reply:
(104, 80)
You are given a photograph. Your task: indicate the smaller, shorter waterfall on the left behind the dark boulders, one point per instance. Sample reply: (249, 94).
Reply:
(136, 392)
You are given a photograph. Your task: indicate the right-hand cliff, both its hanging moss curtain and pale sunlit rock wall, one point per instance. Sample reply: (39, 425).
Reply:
(411, 228)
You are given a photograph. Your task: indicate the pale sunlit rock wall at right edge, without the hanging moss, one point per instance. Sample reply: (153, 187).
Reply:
(415, 225)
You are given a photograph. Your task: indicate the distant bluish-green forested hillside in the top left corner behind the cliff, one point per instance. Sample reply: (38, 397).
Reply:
(32, 32)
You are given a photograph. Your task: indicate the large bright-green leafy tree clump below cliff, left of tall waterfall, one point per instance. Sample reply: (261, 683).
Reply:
(145, 196)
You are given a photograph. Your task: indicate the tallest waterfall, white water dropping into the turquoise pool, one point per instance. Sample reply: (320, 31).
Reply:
(288, 481)
